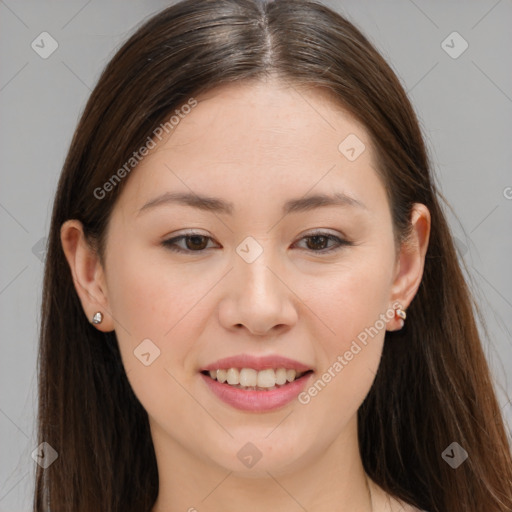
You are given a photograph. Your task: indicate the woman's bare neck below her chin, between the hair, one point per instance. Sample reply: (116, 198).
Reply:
(331, 480)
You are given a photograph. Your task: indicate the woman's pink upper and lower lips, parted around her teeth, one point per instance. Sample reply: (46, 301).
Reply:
(252, 400)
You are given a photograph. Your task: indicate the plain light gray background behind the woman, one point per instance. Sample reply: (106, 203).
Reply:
(464, 105)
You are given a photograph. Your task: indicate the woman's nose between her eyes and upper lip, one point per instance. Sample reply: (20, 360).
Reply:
(258, 298)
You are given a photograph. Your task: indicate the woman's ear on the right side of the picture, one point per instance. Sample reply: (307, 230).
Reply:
(411, 260)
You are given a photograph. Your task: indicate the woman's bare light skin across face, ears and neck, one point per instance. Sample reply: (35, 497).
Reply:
(256, 145)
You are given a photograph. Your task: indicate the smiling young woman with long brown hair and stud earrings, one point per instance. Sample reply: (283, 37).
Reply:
(252, 298)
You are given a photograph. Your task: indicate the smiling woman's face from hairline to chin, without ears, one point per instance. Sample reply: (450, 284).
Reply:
(257, 277)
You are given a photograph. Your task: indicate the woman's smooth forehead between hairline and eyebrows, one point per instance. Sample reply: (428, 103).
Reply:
(258, 139)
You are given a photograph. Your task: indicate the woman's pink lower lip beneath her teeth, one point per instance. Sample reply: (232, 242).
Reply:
(257, 401)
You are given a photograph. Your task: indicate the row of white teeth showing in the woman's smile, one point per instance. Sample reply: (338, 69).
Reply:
(249, 378)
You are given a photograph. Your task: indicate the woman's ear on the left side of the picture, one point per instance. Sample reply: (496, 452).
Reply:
(87, 273)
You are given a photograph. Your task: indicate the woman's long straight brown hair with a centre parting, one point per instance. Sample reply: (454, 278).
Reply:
(433, 386)
